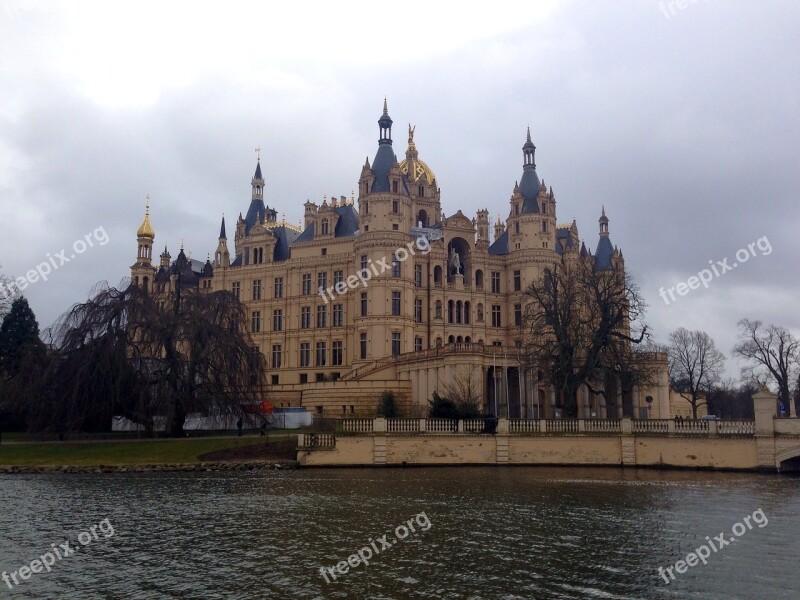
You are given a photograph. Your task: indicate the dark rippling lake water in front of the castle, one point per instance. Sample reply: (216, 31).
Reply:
(479, 533)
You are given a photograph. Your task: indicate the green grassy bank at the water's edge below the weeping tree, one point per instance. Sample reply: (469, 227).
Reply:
(164, 451)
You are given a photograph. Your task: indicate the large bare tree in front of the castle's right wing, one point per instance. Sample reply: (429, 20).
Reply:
(582, 326)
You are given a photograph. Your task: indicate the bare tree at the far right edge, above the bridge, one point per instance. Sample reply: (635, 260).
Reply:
(771, 352)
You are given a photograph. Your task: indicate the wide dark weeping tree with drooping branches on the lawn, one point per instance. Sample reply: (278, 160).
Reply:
(127, 353)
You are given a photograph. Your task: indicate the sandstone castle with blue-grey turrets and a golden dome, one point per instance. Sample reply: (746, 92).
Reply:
(388, 293)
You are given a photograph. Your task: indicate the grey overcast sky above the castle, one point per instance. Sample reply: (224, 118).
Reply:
(683, 122)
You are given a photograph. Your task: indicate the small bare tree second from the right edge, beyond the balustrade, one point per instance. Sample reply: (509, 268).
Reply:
(695, 366)
